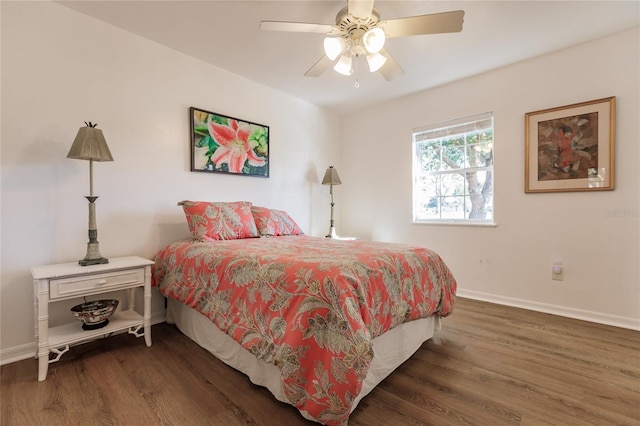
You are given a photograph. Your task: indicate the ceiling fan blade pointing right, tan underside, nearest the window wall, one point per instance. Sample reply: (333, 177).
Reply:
(435, 23)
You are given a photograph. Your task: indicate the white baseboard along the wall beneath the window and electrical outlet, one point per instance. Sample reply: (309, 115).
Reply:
(563, 311)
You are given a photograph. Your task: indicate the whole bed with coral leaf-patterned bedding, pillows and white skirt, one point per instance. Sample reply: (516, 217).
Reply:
(317, 321)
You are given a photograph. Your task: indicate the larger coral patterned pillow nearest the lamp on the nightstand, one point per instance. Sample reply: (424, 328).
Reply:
(209, 221)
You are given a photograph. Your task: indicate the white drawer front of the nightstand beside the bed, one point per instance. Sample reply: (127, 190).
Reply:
(74, 286)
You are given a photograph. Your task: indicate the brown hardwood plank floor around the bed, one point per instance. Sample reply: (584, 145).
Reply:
(489, 365)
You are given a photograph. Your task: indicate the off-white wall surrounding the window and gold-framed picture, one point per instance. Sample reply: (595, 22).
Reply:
(511, 263)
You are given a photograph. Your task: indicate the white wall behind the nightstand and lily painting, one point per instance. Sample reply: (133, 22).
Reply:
(60, 68)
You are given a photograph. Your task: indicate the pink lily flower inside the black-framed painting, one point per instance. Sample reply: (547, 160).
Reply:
(234, 148)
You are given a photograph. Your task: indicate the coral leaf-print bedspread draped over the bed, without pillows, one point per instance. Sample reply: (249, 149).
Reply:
(309, 305)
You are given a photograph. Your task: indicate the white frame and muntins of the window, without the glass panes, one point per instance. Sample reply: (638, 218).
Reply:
(462, 127)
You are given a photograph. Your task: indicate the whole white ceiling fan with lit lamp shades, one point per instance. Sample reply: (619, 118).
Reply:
(359, 31)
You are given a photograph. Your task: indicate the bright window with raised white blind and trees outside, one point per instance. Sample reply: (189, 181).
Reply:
(453, 171)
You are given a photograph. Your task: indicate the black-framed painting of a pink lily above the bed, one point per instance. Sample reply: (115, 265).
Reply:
(222, 144)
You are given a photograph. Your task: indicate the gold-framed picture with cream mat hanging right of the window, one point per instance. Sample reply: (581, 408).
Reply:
(571, 148)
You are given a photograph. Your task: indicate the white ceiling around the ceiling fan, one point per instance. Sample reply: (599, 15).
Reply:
(495, 33)
